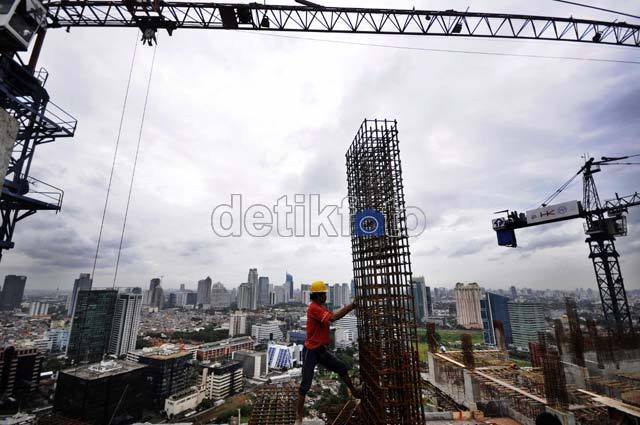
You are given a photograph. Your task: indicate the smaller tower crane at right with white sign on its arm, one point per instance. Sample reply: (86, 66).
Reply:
(604, 221)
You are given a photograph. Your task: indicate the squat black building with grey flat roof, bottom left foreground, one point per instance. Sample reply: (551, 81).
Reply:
(111, 391)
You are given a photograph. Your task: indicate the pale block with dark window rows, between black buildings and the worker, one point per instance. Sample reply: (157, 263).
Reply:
(221, 381)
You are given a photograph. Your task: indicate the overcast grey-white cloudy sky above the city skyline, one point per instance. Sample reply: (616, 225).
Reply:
(266, 116)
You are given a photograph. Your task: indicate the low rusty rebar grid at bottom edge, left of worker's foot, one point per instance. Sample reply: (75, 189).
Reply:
(274, 405)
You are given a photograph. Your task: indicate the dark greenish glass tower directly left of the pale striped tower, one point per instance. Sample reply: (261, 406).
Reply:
(91, 325)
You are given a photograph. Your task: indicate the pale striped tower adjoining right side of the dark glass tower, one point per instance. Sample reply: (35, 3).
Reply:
(126, 322)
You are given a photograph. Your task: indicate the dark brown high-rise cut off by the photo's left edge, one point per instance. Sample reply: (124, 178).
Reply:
(20, 369)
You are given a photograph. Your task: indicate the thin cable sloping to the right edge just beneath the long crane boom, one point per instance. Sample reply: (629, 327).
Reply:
(425, 49)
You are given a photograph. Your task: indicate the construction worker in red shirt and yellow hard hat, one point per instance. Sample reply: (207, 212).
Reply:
(315, 346)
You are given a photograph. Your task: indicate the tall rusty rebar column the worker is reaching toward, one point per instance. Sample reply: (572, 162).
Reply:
(387, 332)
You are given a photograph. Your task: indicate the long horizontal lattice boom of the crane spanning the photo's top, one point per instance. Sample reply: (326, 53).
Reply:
(259, 17)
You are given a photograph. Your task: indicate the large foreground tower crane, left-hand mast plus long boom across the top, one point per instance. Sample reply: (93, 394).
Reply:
(37, 120)
